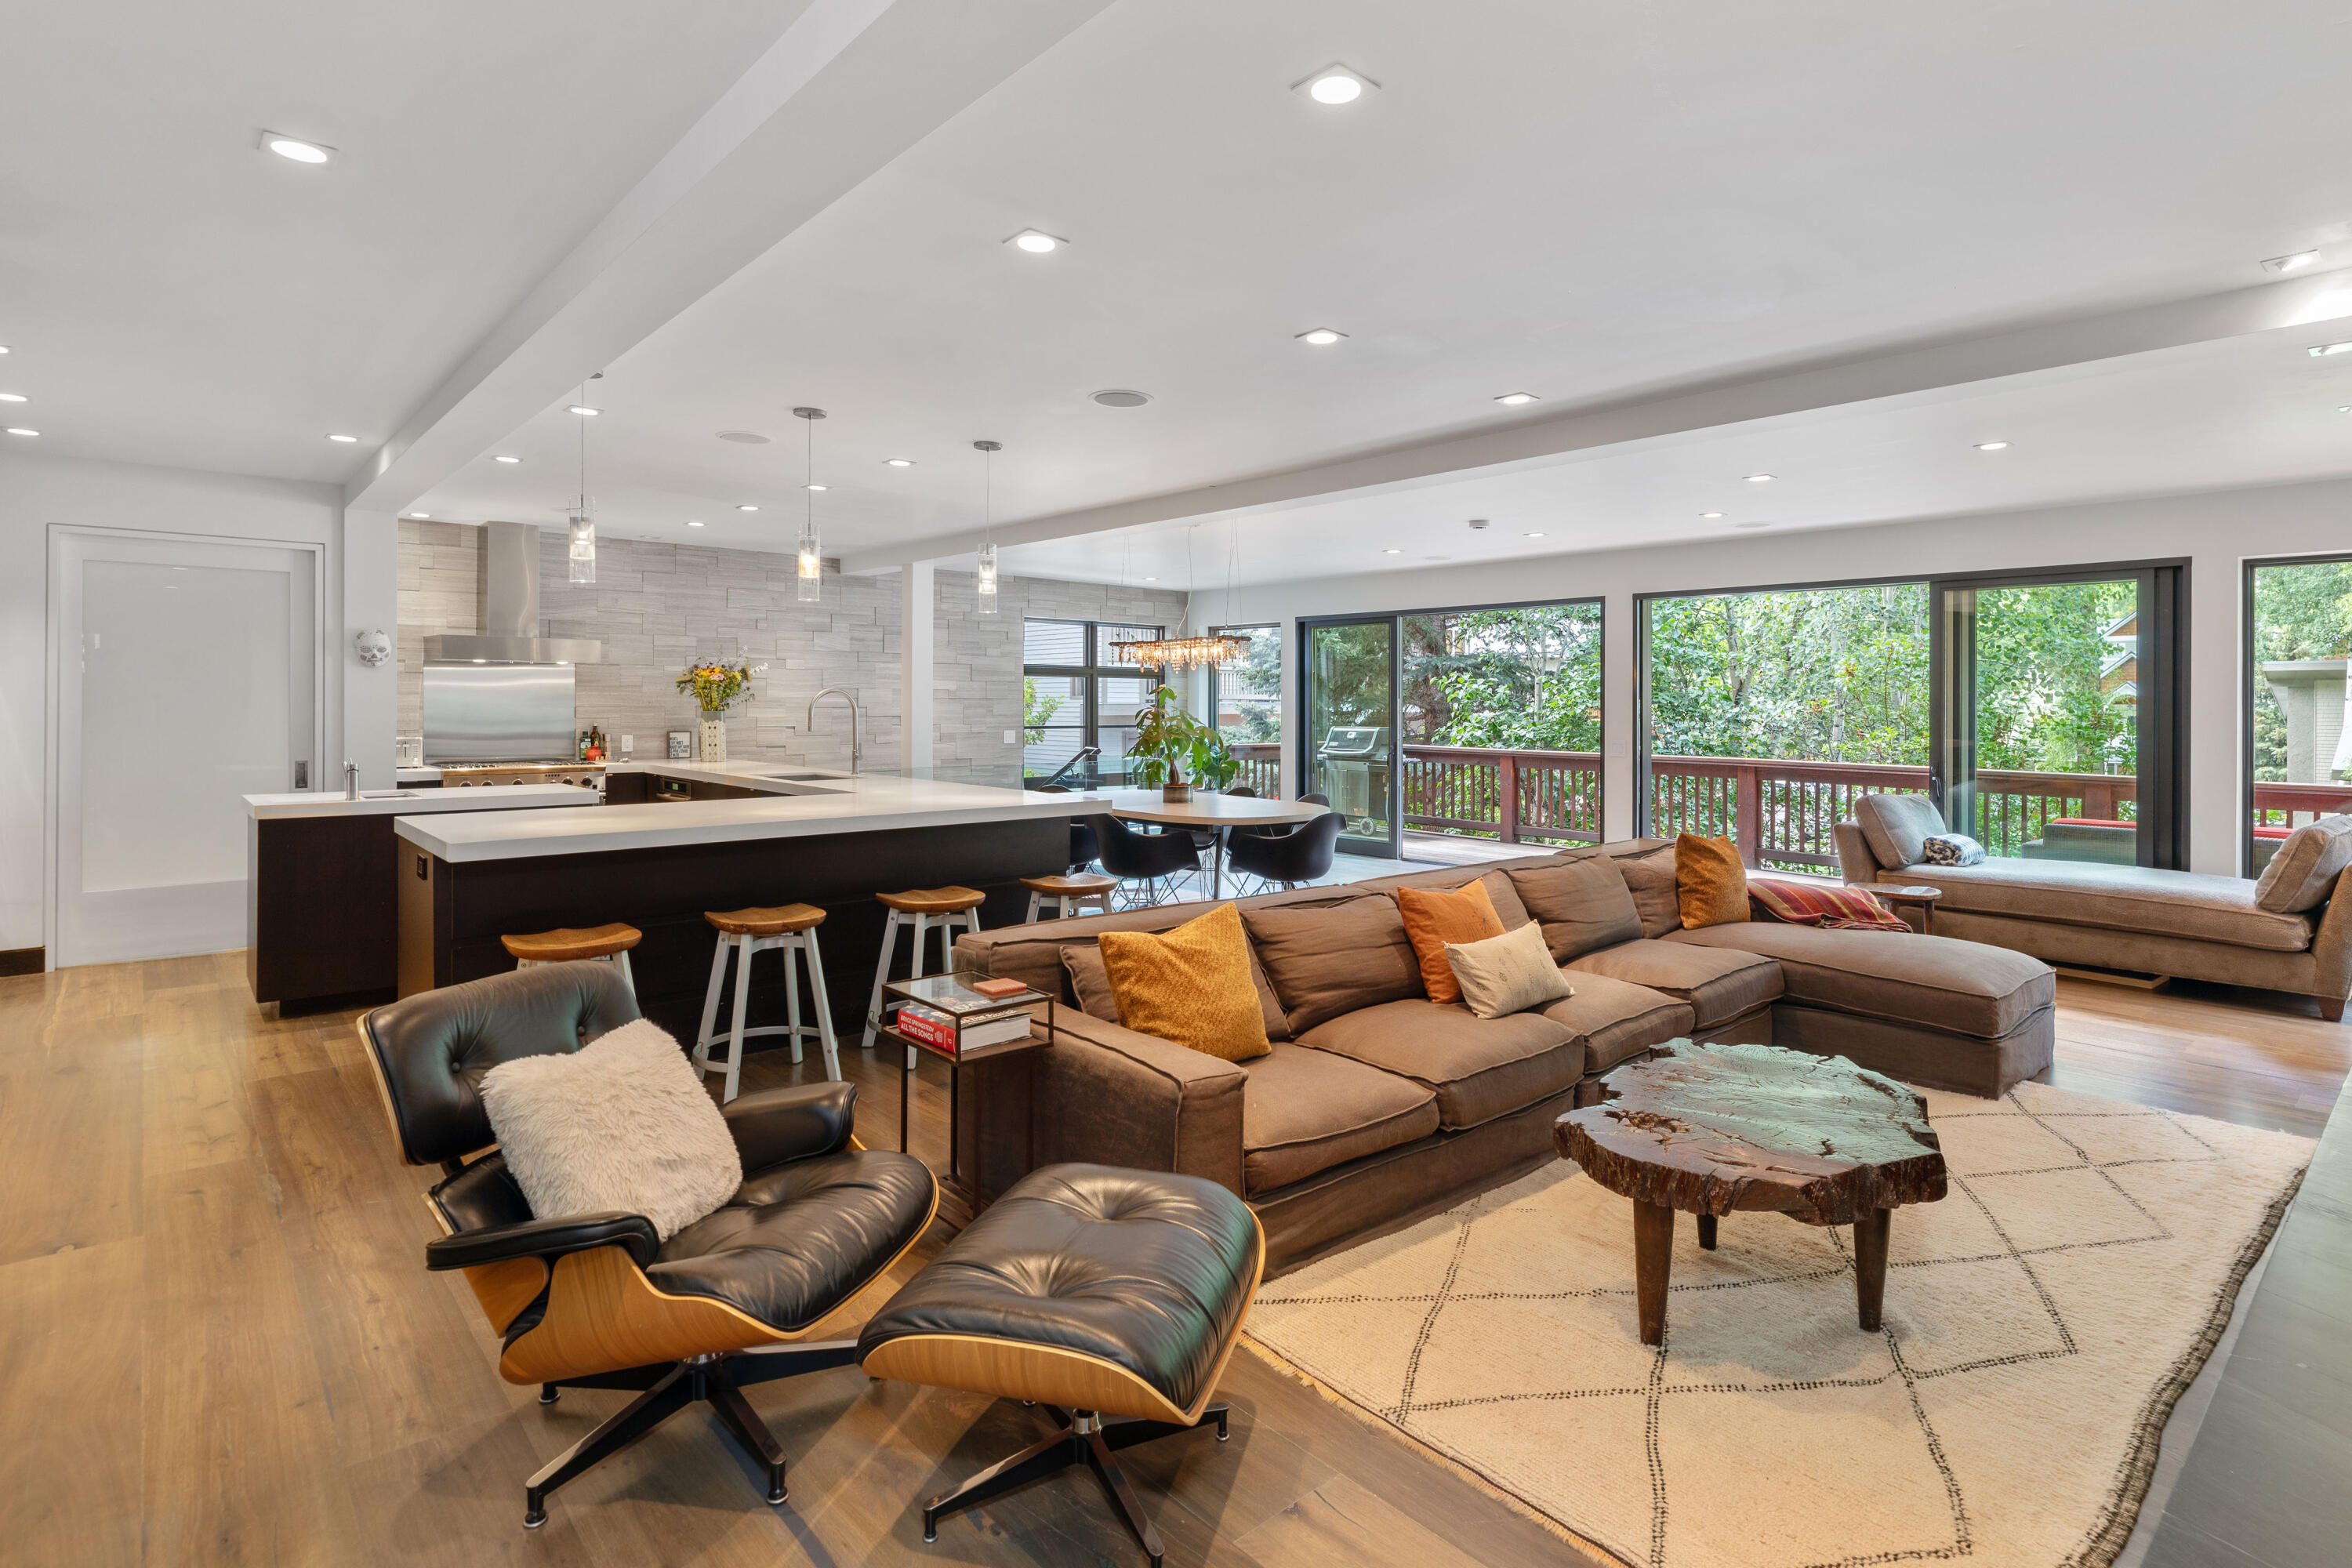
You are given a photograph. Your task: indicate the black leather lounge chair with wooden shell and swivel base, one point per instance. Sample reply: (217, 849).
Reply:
(596, 1301)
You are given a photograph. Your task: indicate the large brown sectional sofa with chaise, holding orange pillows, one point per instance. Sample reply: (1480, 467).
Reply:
(1382, 1106)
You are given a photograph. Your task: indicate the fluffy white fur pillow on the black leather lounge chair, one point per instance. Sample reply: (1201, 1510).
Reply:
(617, 1125)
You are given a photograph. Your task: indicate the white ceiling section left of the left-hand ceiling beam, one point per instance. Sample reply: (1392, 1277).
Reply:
(175, 295)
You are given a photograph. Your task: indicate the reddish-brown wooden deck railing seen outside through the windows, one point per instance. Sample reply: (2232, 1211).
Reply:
(1782, 815)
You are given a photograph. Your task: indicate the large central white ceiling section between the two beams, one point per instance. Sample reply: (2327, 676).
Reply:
(1579, 203)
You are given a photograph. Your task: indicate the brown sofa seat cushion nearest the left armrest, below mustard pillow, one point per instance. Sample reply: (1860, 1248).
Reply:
(1311, 1111)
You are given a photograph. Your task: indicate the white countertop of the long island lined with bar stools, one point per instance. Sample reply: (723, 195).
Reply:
(806, 803)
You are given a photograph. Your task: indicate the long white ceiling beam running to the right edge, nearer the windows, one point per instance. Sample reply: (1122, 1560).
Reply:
(1930, 373)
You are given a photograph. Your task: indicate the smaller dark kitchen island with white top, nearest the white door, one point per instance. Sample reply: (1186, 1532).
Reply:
(319, 887)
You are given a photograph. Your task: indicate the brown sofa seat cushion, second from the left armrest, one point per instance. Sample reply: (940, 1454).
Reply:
(1481, 1068)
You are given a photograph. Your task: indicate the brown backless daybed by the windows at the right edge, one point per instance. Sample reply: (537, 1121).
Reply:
(2287, 932)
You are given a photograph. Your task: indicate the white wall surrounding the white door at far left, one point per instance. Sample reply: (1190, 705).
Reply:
(39, 495)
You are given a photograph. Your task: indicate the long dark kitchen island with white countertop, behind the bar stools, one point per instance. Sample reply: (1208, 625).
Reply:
(777, 836)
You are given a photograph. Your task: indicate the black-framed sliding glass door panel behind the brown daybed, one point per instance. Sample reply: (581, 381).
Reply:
(2054, 713)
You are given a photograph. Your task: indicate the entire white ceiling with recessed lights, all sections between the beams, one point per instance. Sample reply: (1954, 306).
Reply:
(1593, 206)
